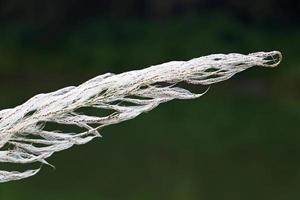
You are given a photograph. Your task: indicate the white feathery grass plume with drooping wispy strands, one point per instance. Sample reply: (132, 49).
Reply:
(24, 139)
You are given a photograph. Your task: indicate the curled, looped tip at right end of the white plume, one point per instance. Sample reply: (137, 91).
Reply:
(269, 59)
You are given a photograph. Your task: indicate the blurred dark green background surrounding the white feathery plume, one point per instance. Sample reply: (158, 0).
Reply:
(239, 141)
